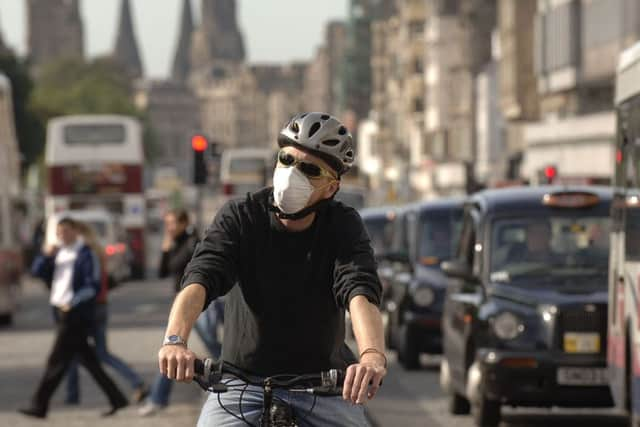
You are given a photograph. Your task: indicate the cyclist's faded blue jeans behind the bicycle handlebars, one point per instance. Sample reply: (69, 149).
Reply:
(328, 411)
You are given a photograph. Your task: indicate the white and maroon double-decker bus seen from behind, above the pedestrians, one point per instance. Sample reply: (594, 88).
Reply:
(96, 161)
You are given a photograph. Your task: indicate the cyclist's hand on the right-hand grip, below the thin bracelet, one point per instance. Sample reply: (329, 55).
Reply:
(363, 379)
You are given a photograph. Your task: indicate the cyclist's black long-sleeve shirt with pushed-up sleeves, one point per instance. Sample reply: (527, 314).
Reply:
(286, 314)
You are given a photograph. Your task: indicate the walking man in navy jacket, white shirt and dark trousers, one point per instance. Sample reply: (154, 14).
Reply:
(69, 272)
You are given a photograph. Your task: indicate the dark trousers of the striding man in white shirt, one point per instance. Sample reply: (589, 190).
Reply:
(72, 341)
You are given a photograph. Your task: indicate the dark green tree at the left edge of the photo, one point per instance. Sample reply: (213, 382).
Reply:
(29, 127)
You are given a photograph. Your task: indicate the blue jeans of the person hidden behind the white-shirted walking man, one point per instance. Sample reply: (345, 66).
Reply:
(100, 338)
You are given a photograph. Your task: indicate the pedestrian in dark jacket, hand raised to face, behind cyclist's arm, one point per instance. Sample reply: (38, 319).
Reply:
(178, 245)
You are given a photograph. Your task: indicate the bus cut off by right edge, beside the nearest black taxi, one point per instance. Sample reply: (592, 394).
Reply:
(624, 267)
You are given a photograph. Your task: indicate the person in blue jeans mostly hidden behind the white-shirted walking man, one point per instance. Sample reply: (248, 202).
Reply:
(99, 334)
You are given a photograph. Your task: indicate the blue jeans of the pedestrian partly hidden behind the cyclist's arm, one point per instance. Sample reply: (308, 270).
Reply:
(206, 328)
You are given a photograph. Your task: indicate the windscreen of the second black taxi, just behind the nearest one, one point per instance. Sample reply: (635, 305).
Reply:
(439, 234)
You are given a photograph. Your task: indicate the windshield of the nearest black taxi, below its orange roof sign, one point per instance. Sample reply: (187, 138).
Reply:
(555, 247)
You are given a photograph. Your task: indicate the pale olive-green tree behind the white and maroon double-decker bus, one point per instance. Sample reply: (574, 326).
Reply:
(72, 86)
